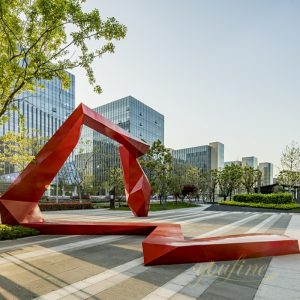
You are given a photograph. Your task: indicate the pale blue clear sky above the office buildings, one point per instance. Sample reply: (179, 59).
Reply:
(218, 70)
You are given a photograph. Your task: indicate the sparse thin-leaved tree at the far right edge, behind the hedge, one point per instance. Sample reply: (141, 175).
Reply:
(290, 166)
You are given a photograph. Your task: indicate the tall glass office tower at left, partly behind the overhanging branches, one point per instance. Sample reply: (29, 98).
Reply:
(44, 111)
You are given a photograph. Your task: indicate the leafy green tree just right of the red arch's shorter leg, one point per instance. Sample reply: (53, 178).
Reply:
(157, 163)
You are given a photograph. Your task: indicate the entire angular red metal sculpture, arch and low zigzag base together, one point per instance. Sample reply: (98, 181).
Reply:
(165, 243)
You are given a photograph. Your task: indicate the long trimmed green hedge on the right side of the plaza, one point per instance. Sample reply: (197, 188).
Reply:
(278, 198)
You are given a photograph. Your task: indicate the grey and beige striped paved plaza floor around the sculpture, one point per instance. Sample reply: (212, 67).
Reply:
(111, 267)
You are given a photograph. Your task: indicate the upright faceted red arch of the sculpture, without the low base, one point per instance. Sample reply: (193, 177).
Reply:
(19, 204)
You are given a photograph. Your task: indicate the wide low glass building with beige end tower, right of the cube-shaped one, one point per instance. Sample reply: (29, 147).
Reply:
(206, 157)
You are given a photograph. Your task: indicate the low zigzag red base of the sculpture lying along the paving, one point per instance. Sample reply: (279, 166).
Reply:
(165, 243)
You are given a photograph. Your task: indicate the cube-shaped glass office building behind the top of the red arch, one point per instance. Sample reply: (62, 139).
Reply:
(99, 153)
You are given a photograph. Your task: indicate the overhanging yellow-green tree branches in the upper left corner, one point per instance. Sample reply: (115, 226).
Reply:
(41, 39)
